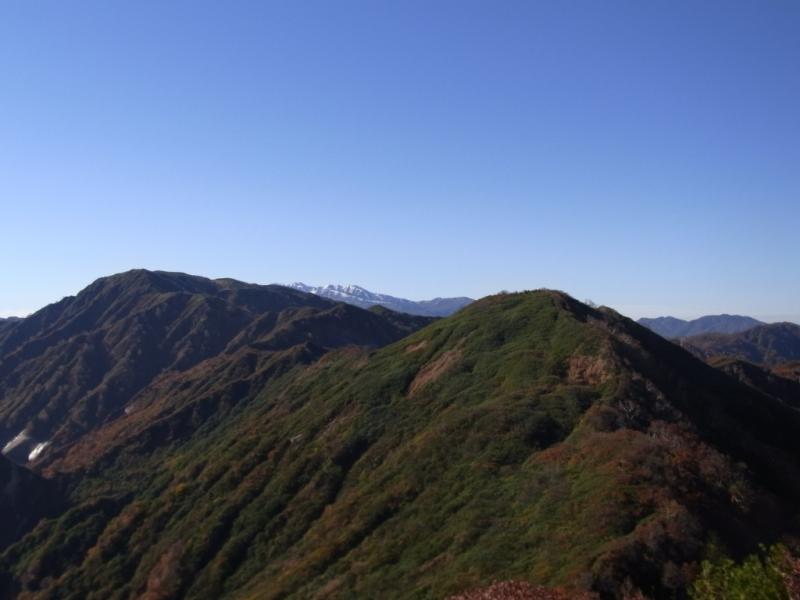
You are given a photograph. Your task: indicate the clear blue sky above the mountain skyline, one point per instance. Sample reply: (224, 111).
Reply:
(645, 155)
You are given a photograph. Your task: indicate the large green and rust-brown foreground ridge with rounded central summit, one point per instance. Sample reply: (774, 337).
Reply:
(528, 438)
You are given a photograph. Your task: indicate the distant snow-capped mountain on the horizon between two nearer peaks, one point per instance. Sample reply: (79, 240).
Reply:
(354, 294)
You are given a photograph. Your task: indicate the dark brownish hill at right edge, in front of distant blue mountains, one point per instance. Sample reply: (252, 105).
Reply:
(767, 344)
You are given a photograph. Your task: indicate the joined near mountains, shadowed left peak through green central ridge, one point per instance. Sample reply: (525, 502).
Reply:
(206, 438)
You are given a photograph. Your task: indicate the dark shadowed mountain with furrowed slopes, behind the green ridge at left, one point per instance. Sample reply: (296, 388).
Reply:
(86, 360)
